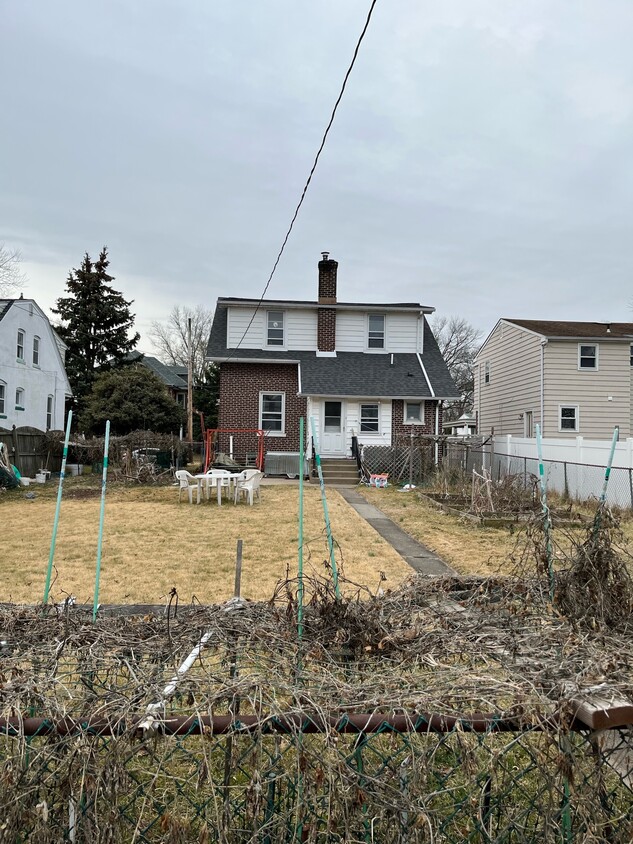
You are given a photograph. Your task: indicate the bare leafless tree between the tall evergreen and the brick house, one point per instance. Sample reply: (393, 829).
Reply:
(170, 338)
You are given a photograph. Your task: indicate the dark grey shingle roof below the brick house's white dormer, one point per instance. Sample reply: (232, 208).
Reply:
(350, 373)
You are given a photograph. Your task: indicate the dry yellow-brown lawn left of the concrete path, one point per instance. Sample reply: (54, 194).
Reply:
(152, 543)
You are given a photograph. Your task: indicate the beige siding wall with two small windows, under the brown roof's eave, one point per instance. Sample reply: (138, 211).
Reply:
(589, 390)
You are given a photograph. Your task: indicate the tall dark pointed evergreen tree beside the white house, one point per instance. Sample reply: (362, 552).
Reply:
(96, 323)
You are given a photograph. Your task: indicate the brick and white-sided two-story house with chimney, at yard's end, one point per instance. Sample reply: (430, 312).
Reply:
(362, 370)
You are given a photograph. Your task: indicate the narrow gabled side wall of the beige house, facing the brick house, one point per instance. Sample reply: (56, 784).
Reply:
(507, 381)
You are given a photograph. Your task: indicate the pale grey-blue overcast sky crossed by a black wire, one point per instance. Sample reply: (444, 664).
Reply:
(481, 160)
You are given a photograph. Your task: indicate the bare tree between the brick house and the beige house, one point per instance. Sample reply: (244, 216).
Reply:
(458, 341)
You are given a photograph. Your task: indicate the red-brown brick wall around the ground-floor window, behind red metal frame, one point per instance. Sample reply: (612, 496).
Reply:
(240, 386)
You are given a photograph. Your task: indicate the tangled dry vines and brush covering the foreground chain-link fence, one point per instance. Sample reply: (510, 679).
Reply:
(111, 770)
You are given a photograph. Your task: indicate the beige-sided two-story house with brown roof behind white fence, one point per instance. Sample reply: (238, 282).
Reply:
(573, 378)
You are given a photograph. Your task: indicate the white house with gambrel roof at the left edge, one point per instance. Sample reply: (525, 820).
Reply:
(33, 381)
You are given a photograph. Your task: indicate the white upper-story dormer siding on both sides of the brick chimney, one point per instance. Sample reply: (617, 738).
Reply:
(403, 332)
